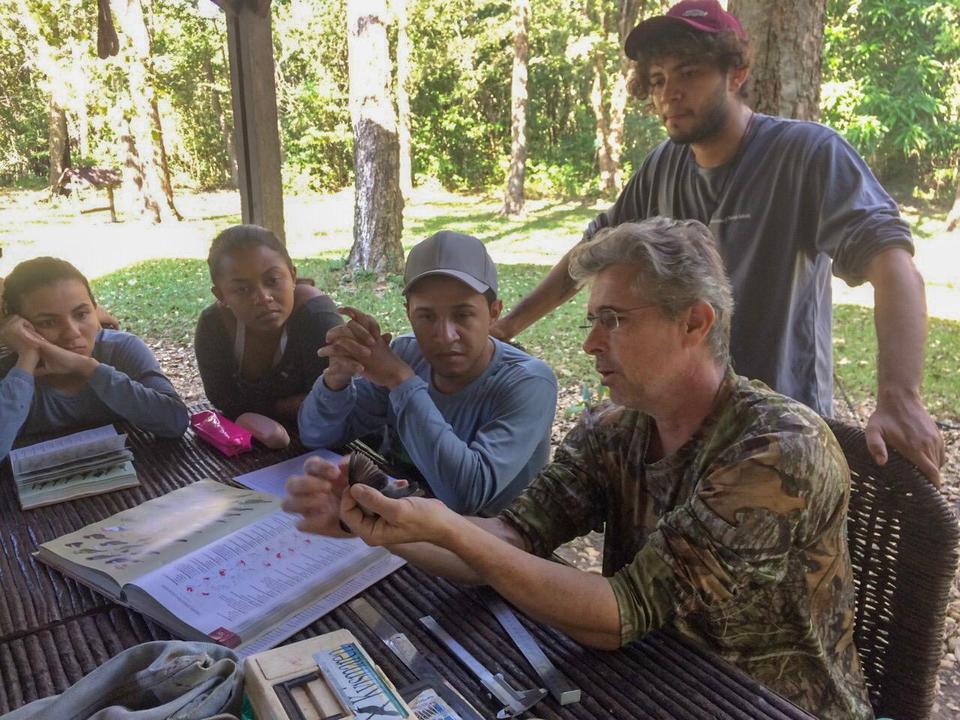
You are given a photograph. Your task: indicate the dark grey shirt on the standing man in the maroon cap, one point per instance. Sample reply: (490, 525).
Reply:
(796, 197)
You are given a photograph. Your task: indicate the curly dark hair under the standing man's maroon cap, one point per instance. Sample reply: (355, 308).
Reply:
(723, 49)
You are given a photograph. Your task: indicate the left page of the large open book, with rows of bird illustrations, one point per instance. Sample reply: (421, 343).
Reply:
(134, 542)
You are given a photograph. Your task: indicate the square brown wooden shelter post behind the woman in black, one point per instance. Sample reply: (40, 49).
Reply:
(254, 99)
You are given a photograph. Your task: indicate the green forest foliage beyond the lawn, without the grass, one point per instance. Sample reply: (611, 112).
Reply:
(890, 85)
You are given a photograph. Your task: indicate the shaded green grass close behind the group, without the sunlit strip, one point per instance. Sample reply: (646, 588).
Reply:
(161, 299)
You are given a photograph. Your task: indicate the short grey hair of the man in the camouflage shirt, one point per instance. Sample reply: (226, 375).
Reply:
(679, 266)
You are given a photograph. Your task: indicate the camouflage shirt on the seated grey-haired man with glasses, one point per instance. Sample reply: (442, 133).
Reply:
(737, 540)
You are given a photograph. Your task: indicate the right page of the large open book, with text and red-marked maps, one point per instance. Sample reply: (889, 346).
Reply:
(253, 579)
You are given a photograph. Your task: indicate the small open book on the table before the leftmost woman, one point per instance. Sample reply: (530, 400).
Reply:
(84, 463)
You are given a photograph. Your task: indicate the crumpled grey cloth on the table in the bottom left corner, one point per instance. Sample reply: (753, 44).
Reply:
(169, 680)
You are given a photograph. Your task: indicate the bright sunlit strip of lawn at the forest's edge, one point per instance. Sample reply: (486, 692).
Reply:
(31, 224)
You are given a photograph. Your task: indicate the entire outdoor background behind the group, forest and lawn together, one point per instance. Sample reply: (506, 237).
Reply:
(889, 80)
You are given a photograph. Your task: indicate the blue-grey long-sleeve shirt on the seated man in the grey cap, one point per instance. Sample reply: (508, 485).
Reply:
(477, 448)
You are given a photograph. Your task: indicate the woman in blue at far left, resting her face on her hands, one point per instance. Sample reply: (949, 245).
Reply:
(66, 371)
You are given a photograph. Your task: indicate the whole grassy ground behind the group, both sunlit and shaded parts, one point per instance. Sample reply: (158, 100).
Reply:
(160, 298)
